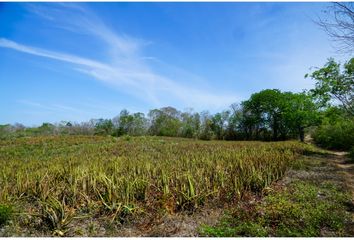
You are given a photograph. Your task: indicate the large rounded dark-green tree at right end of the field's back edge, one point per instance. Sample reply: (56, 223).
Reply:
(276, 115)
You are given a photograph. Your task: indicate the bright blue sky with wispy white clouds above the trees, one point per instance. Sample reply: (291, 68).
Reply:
(78, 61)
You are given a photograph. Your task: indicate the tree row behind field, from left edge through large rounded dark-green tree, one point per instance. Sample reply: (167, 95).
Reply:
(267, 115)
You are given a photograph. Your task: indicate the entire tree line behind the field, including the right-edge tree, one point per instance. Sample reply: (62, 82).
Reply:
(269, 115)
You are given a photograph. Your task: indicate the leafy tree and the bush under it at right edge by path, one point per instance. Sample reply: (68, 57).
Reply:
(335, 85)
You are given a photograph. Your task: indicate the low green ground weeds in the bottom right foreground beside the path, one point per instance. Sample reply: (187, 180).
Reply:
(303, 209)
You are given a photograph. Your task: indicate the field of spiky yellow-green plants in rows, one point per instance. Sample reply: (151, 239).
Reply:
(53, 184)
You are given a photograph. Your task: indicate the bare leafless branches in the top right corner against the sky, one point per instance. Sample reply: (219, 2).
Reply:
(339, 25)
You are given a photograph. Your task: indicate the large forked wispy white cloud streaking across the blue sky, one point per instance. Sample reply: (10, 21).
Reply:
(125, 67)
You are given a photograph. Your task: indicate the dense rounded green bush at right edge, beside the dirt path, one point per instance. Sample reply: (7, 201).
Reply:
(339, 135)
